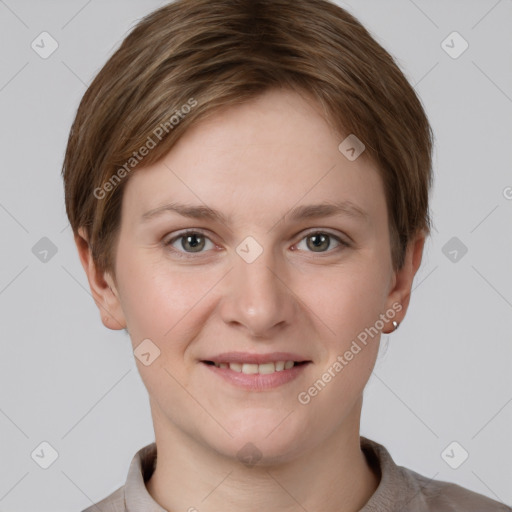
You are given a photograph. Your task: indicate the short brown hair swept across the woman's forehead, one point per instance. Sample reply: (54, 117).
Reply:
(214, 54)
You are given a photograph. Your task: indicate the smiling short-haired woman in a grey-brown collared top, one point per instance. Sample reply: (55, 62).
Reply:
(248, 185)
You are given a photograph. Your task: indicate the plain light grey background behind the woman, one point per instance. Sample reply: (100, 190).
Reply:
(444, 376)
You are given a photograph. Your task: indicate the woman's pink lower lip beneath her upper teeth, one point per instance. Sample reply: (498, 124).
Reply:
(257, 381)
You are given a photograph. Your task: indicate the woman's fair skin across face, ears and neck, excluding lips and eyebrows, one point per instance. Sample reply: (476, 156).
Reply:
(254, 163)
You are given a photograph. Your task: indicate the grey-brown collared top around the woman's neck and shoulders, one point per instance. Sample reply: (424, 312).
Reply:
(400, 489)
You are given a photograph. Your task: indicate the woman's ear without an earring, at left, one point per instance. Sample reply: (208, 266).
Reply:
(102, 286)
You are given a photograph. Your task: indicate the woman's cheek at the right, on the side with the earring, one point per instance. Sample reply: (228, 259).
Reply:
(348, 309)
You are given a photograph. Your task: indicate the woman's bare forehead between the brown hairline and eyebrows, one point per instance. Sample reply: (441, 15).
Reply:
(261, 157)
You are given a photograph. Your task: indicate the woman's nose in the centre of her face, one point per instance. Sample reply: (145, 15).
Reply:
(258, 296)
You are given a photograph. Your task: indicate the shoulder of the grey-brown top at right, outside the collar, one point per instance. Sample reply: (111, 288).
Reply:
(442, 496)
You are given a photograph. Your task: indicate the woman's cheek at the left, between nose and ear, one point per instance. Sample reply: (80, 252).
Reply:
(163, 307)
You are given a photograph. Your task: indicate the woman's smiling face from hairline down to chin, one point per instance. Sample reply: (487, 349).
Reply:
(262, 278)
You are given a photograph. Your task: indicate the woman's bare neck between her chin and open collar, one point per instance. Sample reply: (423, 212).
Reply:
(333, 476)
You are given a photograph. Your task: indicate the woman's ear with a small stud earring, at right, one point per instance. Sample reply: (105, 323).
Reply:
(401, 290)
